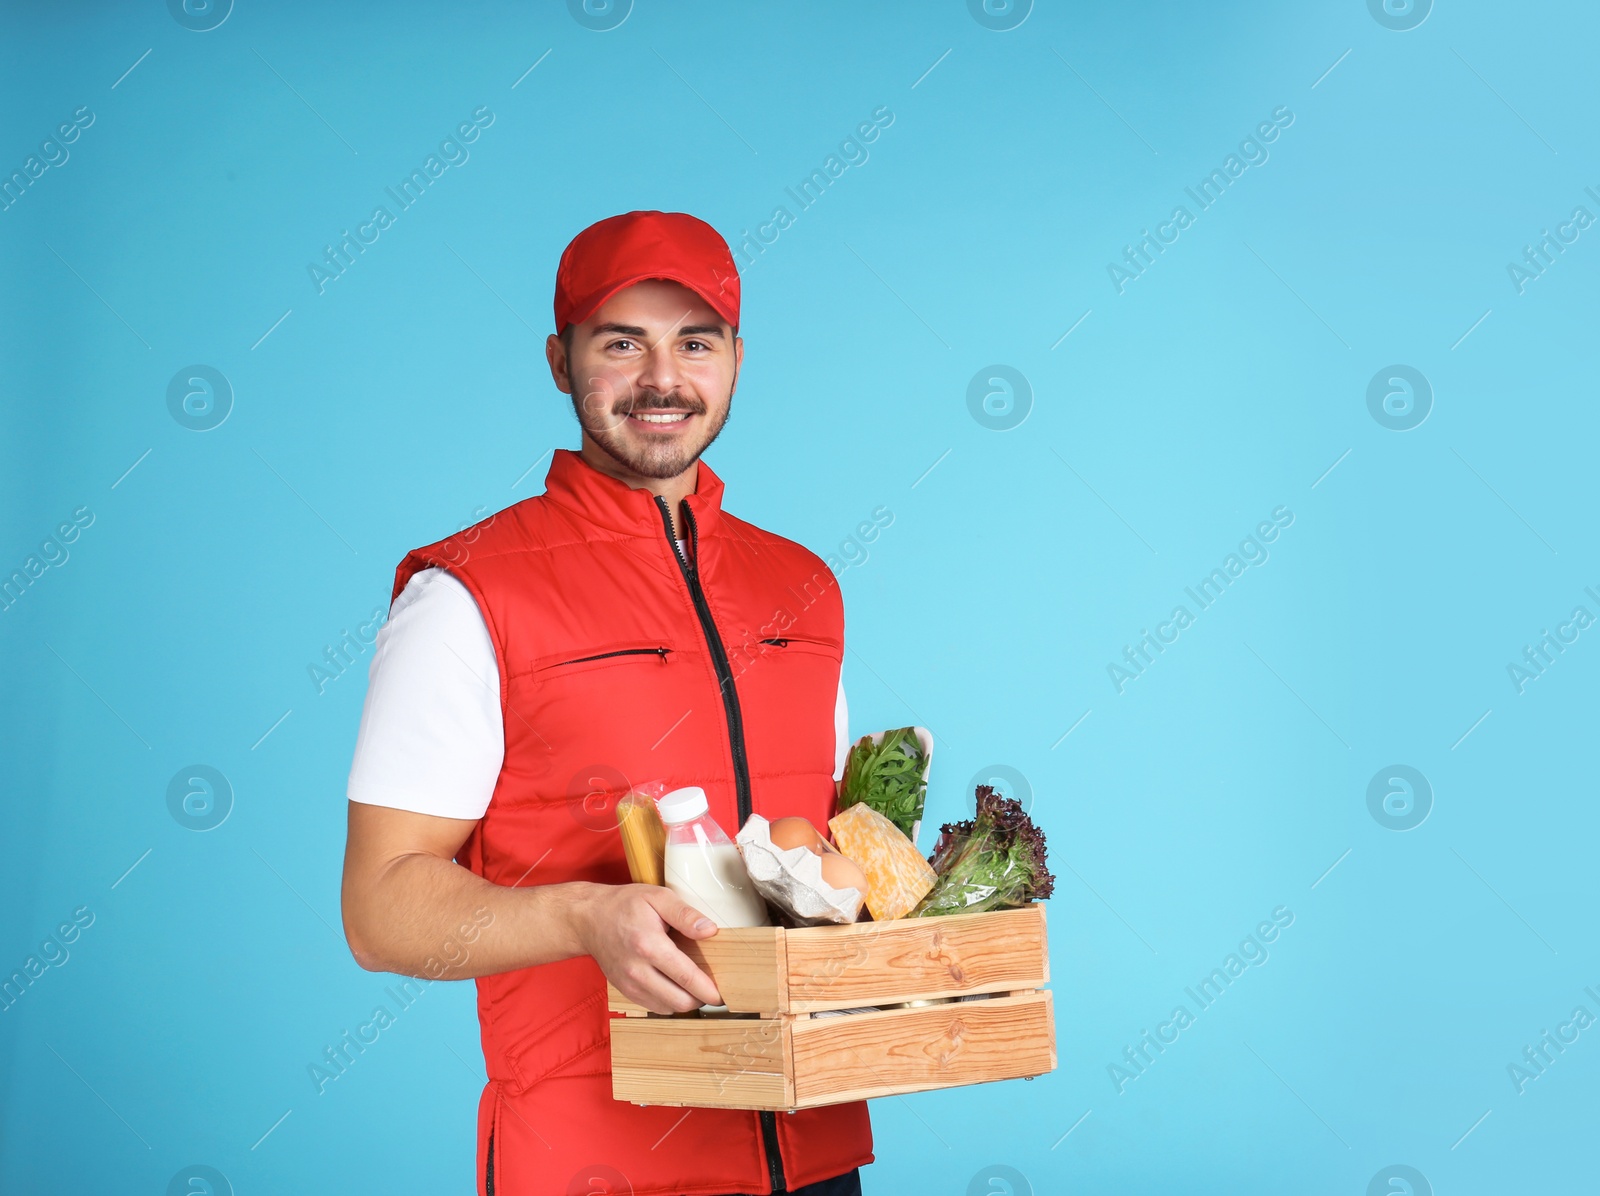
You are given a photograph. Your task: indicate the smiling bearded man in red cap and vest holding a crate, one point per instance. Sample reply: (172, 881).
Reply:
(618, 629)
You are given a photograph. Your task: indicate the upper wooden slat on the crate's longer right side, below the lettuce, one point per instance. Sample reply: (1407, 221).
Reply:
(916, 959)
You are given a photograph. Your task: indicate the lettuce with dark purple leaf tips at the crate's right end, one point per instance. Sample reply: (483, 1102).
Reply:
(990, 863)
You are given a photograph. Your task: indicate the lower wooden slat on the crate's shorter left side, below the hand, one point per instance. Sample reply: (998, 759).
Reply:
(706, 1062)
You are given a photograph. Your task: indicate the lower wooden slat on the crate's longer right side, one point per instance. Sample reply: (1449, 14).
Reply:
(858, 1056)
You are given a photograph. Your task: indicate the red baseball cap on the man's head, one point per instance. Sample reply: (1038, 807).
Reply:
(630, 249)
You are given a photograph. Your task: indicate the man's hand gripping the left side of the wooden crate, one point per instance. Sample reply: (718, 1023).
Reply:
(625, 928)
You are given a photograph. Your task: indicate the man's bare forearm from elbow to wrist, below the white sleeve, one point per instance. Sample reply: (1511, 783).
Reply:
(430, 917)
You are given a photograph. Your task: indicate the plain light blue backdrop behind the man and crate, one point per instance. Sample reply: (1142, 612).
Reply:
(1230, 380)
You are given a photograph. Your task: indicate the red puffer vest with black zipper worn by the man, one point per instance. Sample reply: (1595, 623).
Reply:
(622, 664)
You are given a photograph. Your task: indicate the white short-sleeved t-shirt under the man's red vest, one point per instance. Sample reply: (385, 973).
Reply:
(431, 736)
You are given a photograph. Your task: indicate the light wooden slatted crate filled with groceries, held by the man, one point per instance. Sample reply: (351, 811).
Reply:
(783, 1050)
